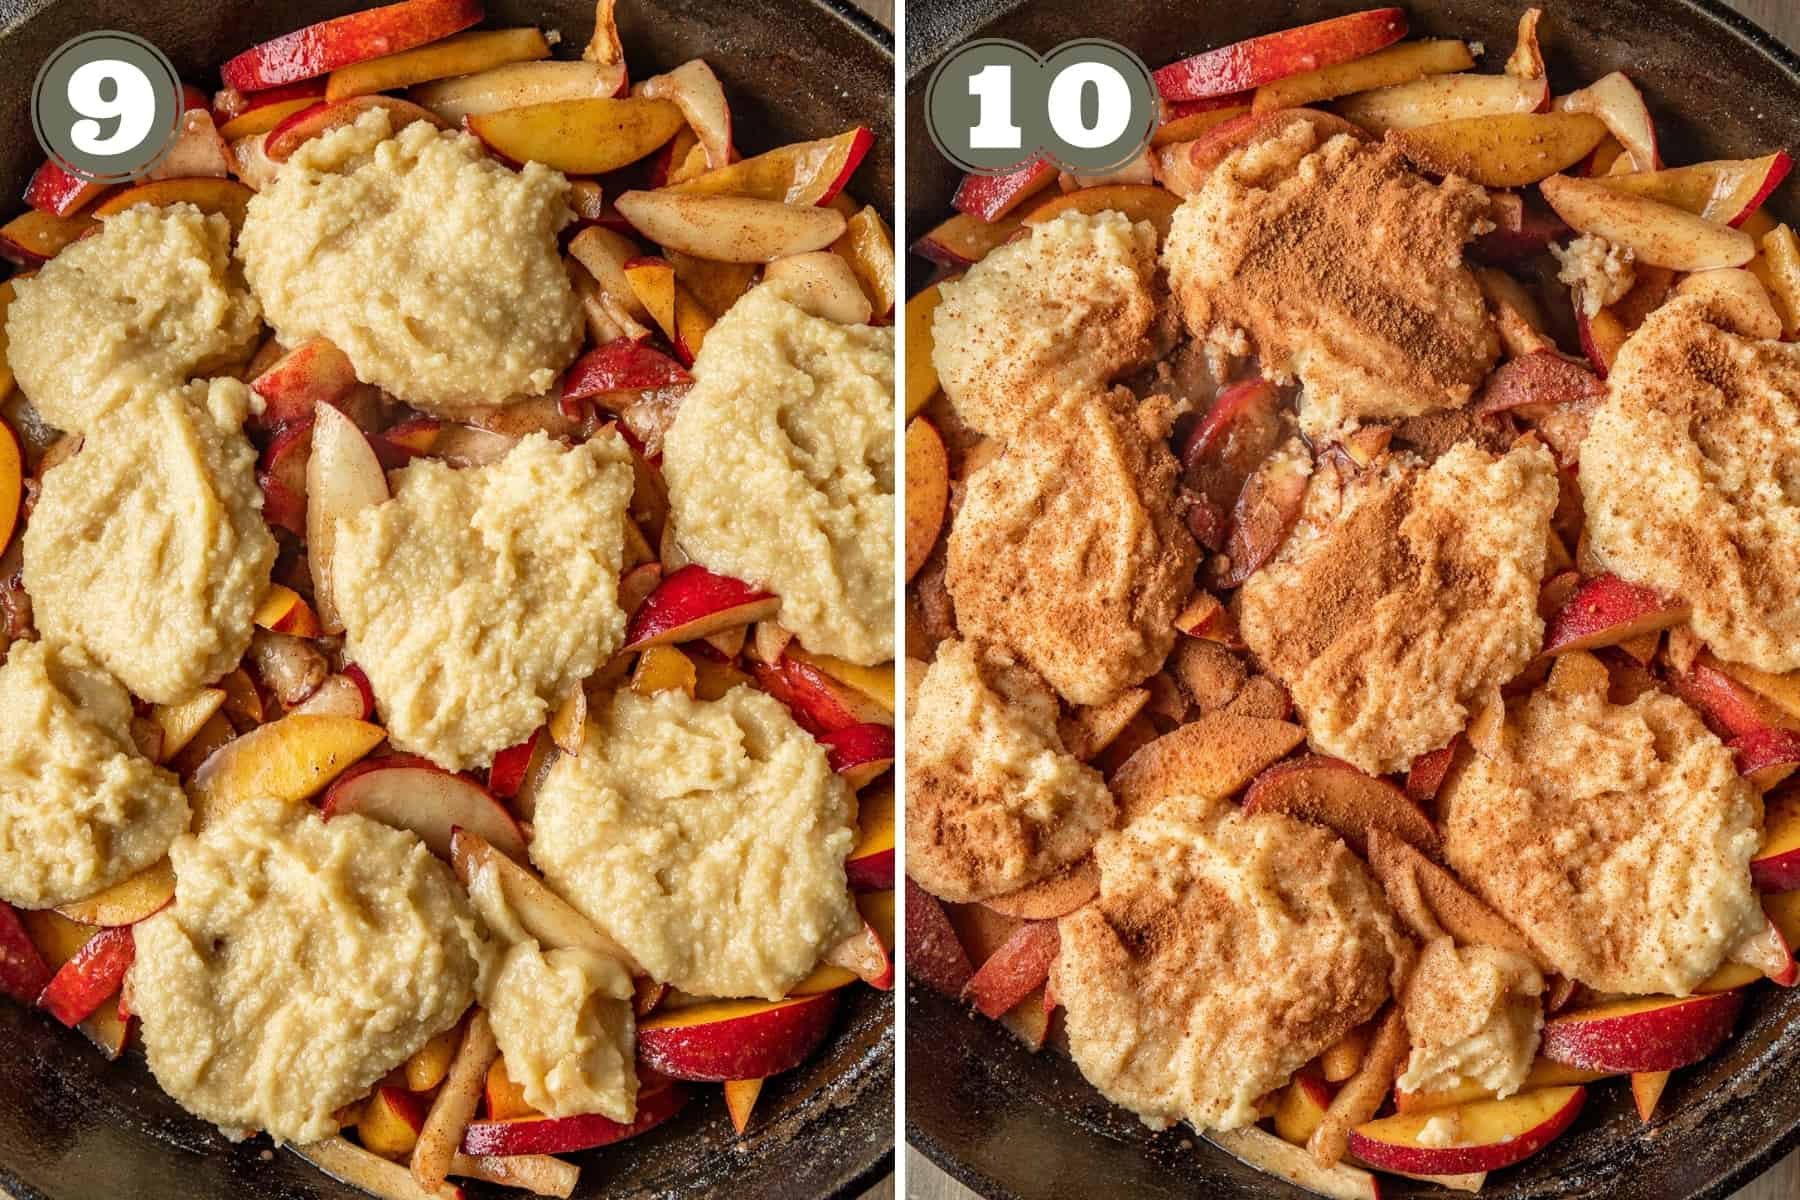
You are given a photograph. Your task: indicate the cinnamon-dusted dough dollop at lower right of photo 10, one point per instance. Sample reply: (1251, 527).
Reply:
(1615, 837)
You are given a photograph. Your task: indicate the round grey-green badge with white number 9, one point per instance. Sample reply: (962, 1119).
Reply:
(107, 105)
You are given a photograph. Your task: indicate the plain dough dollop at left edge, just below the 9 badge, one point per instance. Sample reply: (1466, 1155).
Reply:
(148, 303)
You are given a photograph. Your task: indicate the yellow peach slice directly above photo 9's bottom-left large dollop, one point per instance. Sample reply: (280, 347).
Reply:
(289, 760)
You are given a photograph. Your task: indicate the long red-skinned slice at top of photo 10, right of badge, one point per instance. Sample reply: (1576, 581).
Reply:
(1257, 62)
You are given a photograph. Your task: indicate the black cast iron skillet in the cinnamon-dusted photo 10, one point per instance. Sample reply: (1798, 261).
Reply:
(1020, 1127)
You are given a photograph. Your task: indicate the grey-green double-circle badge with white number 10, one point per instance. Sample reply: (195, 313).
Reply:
(1090, 107)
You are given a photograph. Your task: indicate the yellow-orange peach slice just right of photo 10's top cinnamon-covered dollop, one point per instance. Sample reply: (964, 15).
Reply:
(1507, 150)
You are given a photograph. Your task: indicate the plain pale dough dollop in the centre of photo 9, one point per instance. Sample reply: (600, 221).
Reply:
(476, 598)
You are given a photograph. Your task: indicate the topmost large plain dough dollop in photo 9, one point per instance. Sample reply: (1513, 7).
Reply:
(429, 264)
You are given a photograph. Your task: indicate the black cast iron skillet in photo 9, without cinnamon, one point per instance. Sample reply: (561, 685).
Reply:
(78, 1129)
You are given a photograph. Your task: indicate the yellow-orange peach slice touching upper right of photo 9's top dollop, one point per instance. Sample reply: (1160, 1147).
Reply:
(579, 138)
